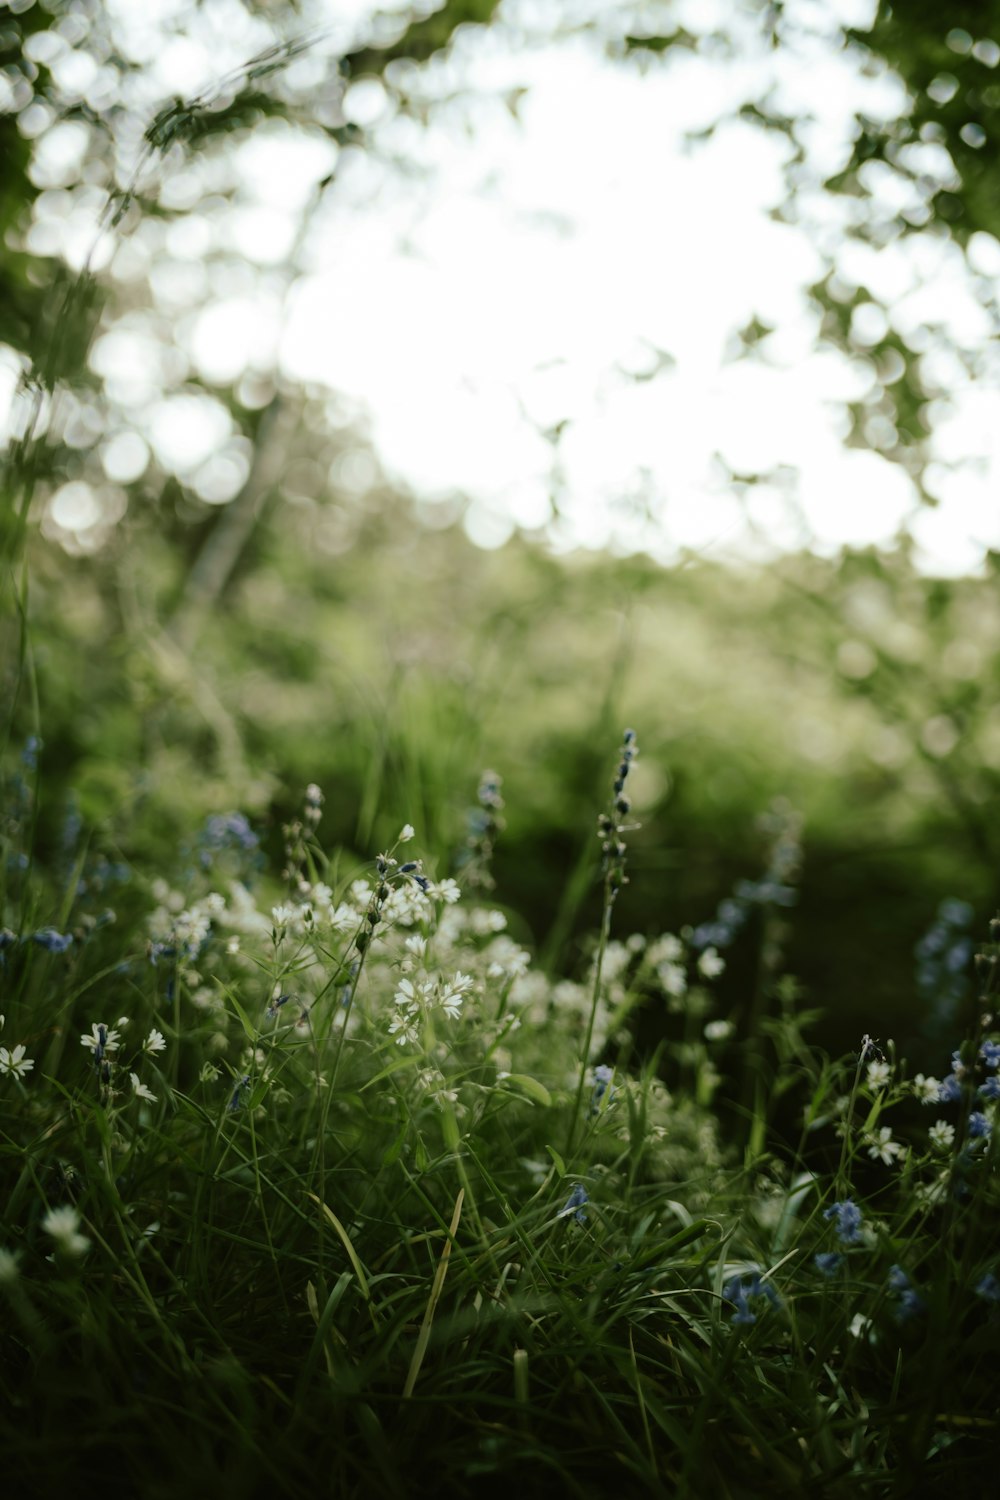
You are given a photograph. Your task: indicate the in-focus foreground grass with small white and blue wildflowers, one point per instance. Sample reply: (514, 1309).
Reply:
(316, 1181)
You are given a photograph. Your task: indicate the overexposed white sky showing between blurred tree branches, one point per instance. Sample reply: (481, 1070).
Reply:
(470, 286)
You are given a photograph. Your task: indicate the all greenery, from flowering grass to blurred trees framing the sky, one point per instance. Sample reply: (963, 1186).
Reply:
(412, 1079)
